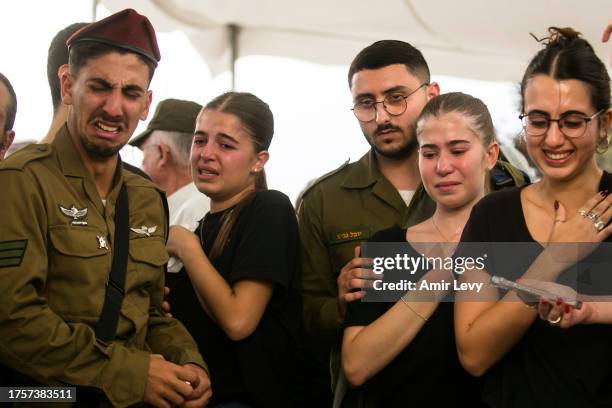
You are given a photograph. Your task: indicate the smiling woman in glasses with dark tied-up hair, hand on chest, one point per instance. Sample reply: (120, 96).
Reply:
(566, 115)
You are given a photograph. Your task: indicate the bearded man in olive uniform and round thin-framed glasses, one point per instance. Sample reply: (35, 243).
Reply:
(390, 84)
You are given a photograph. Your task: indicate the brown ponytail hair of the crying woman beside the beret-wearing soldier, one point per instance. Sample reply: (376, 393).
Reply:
(257, 119)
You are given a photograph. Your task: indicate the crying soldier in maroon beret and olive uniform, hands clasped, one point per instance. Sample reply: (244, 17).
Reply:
(82, 255)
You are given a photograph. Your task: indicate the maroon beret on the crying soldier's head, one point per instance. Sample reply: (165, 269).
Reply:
(125, 29)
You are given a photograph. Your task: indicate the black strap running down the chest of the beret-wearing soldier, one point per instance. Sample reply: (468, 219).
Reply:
(106, 328)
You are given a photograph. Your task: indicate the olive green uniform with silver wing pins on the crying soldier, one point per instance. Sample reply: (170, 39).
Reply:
(55, 258)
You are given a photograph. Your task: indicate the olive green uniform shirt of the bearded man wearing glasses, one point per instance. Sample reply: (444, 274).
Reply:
(342, 209)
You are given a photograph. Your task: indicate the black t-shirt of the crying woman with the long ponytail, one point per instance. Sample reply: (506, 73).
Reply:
(262, 245)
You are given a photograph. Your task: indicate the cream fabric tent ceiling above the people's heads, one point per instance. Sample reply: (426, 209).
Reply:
(479, 39)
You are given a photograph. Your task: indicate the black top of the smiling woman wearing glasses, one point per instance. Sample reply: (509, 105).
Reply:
(549, 366)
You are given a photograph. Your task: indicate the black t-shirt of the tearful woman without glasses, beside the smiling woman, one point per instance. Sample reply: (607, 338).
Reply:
(427, 373)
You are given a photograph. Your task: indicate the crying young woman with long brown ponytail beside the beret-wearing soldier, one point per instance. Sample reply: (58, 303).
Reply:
(238, 293)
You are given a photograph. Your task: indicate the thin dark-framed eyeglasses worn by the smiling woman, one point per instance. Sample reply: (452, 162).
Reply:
(571, 125)
